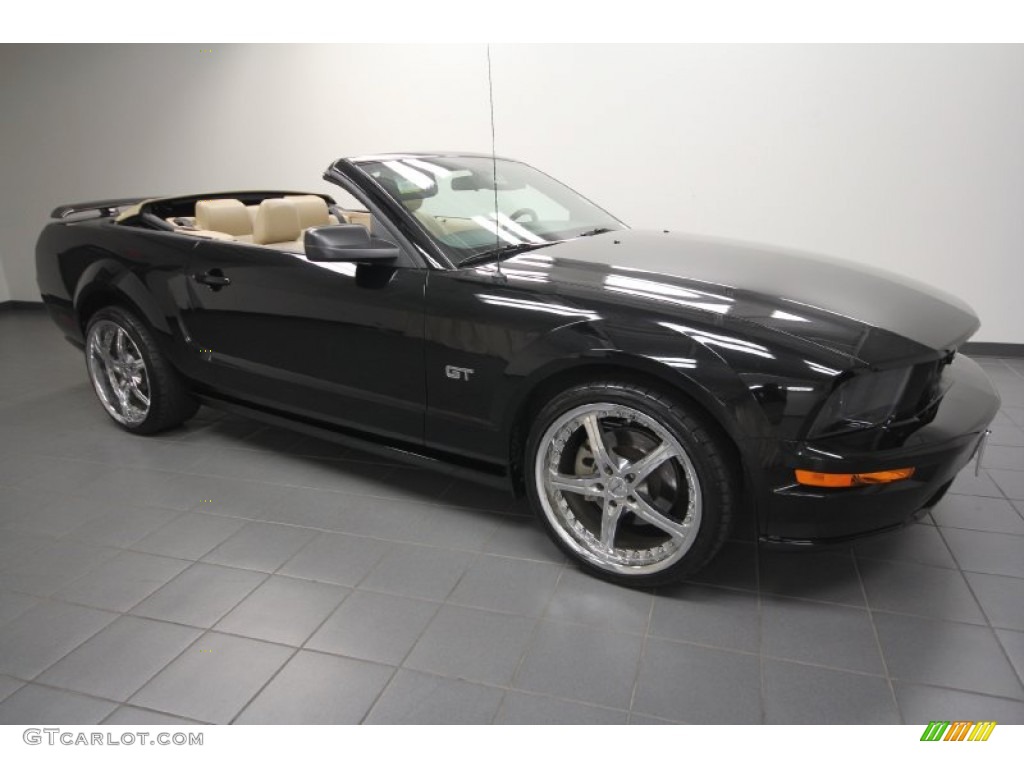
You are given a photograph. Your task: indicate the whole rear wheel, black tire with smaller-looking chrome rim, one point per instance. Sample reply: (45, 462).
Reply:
(137, 386)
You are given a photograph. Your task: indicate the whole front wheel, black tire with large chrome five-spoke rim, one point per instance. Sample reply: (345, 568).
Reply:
(635, 487)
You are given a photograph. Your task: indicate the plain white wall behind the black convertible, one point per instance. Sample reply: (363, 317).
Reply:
(909, 158)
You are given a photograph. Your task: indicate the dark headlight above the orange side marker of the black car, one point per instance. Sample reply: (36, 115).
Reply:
(862, 403)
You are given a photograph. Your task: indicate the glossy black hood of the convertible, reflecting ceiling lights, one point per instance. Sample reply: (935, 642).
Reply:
(832, 303)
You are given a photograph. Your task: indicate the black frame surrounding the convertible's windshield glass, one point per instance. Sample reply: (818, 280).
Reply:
(436, 252)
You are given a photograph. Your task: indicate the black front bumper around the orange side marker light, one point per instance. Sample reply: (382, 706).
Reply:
(937, 451)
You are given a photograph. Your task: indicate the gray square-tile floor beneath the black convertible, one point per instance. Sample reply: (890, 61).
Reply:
(234, 573)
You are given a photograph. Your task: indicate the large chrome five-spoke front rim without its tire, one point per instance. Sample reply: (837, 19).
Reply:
(618, 489)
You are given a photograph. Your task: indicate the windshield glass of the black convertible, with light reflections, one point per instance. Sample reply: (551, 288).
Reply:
(454, 200)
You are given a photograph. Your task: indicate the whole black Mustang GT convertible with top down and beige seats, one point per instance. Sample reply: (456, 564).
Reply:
(641, 388)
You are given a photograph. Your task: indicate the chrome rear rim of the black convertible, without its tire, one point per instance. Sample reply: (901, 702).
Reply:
(118, 373)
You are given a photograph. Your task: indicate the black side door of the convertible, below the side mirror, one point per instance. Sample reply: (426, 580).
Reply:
(335, 343)
